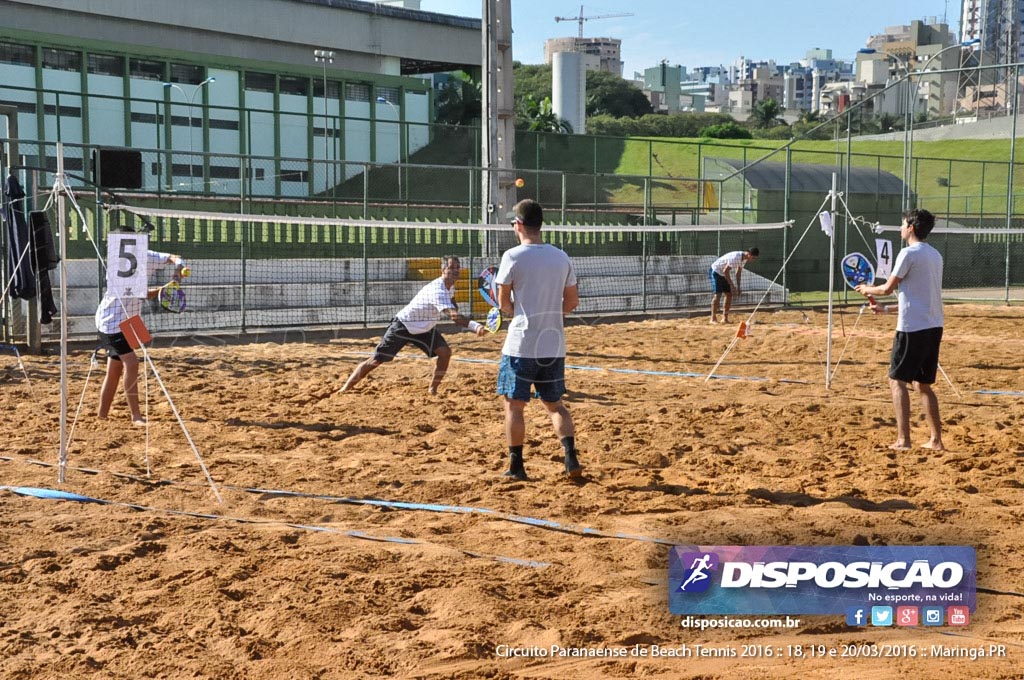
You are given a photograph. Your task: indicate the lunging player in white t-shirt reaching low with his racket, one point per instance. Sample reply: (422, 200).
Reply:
(416, 324)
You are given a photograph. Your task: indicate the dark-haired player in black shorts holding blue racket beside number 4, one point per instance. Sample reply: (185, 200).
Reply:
(915, 358)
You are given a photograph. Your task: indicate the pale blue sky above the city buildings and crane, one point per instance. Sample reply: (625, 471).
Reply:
(709, 33)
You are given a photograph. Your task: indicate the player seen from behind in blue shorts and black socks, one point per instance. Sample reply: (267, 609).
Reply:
(537, 287)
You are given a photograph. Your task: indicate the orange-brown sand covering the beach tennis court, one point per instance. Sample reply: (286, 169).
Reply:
(163, 581)
